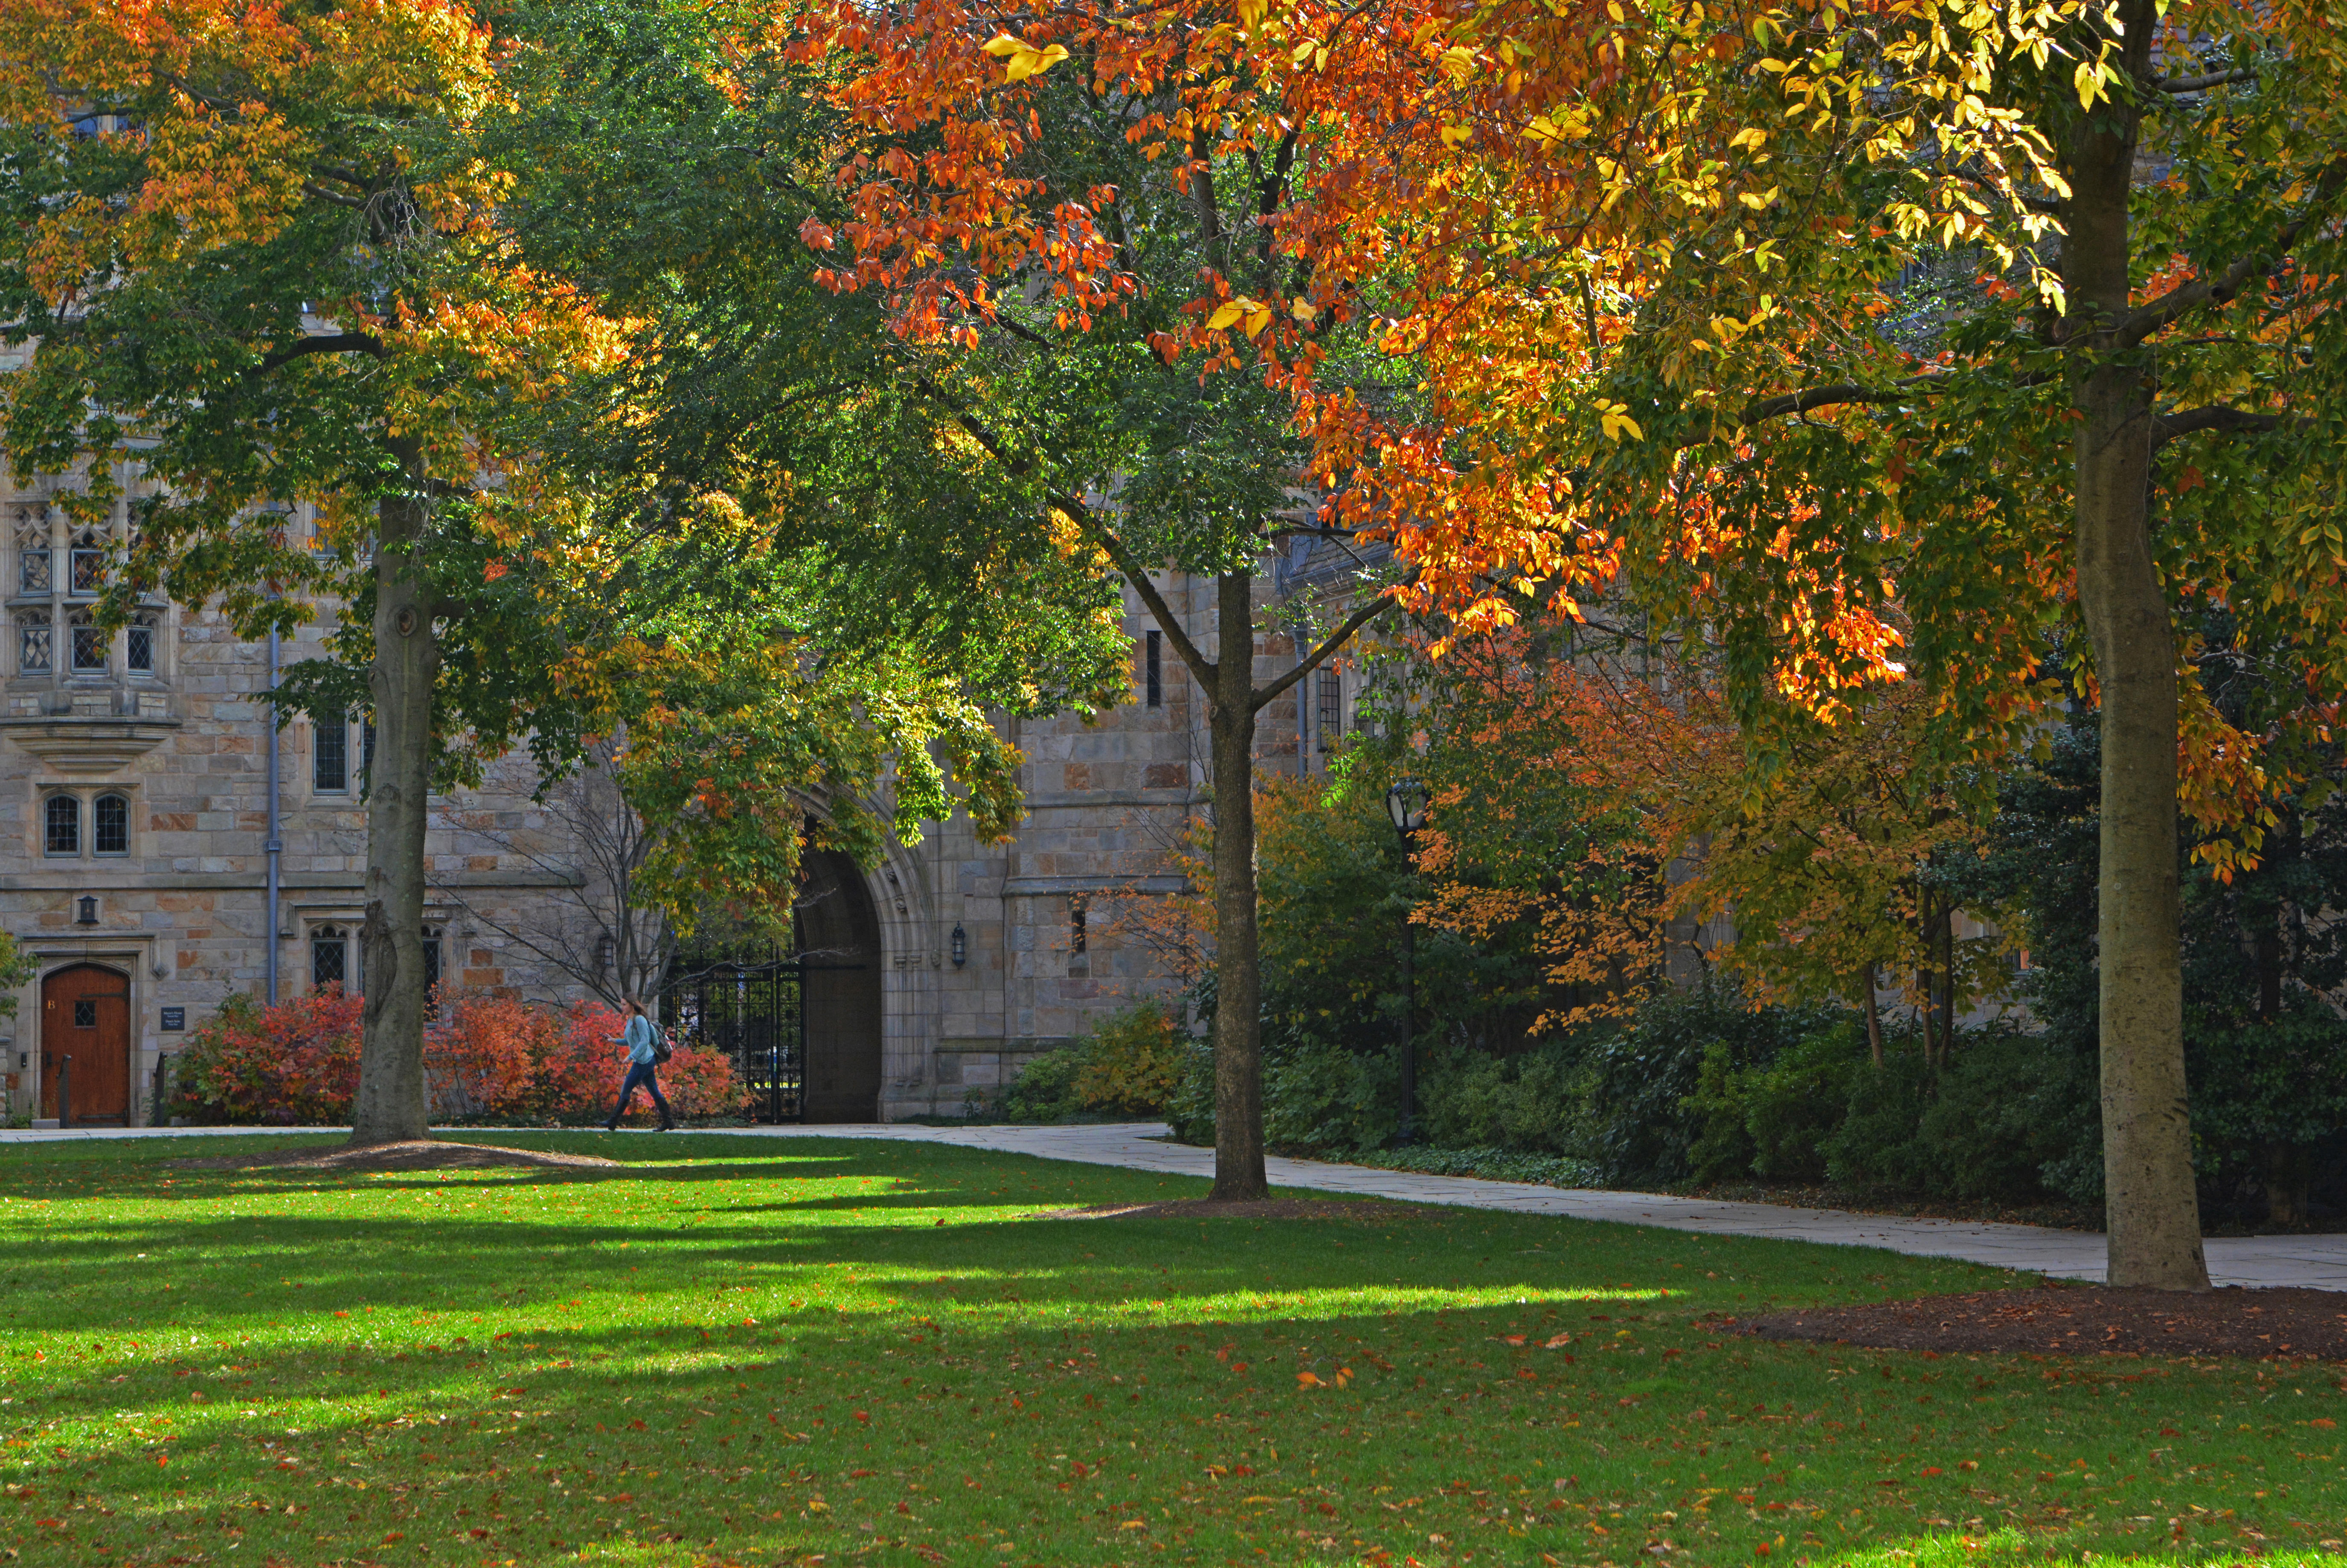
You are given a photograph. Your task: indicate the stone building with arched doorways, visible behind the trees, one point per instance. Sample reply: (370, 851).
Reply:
(137, 851)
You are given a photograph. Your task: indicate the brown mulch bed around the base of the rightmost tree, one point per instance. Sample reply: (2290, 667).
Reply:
(2083, 1320)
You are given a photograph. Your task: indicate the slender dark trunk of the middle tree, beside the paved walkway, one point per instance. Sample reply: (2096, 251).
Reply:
(1238, 978)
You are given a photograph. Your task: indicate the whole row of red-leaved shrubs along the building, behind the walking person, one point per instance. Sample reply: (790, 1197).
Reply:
(487, 1057)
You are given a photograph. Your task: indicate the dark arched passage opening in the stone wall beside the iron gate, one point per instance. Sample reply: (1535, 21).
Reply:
(839, 942)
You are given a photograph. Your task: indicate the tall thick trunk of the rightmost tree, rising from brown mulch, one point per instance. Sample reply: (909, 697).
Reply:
(2153, 1212)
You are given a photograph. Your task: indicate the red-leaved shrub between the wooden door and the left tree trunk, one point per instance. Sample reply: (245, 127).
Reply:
(297, 1062)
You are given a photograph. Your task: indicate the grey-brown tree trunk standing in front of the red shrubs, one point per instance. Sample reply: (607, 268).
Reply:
(391, 1102)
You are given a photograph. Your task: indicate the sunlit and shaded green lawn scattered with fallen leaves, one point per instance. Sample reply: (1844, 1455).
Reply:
(832, 1351)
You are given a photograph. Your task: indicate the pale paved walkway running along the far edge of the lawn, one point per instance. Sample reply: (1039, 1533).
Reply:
(2069, 1255)
